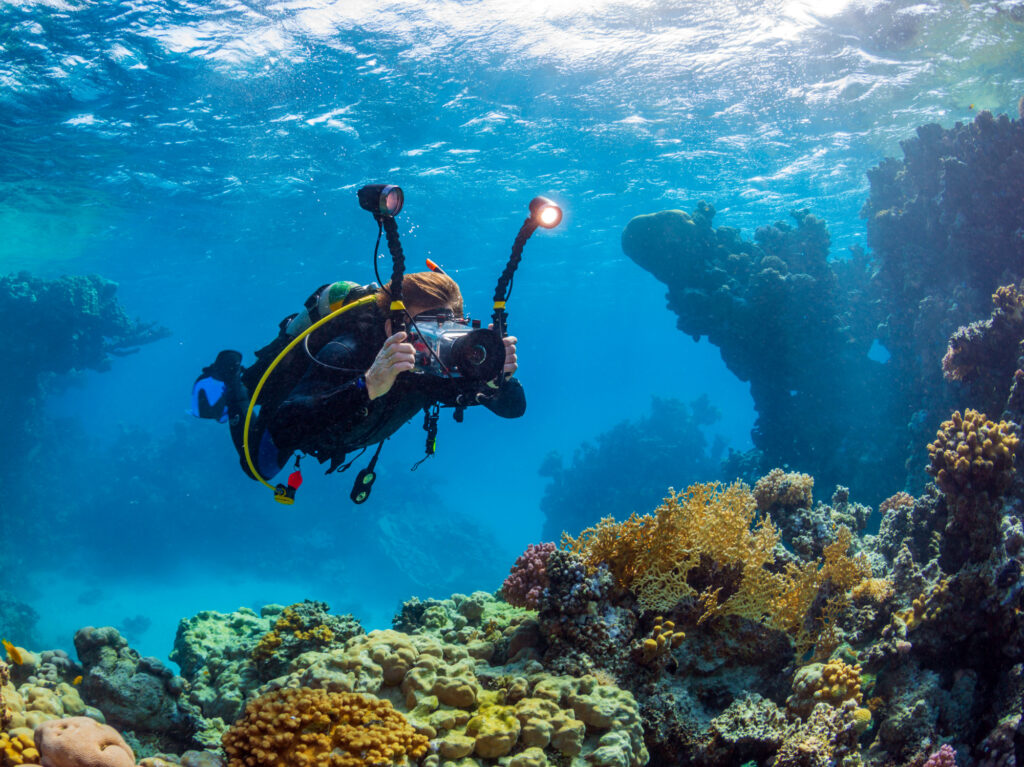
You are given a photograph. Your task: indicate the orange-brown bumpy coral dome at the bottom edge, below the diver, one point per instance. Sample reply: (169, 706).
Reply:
(314, 729)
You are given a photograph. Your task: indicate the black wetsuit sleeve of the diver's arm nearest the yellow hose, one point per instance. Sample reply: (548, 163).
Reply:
(324, 399)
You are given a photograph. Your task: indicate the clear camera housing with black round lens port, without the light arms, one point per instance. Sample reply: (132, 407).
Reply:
(457, 349)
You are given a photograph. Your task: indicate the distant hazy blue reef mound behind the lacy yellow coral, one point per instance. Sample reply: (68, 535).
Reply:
(677, 448)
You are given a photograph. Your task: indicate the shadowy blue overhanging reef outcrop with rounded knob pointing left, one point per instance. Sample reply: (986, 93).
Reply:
(798, 327)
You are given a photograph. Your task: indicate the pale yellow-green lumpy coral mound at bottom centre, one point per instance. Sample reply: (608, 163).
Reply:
(466, 707)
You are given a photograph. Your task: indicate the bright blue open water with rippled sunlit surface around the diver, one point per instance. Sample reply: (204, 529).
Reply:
(206, 156)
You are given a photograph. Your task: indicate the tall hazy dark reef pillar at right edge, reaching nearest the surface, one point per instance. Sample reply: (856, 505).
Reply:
(944, 224)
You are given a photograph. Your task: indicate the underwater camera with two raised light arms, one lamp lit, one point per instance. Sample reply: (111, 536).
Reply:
(447, 347)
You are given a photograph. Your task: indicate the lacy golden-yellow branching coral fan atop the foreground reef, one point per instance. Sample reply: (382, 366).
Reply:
(707, 544)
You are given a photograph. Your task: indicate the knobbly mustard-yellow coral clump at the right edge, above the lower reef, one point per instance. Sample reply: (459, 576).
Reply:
(972, 456)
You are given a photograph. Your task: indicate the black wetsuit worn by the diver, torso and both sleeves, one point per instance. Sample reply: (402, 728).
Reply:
(329, 414)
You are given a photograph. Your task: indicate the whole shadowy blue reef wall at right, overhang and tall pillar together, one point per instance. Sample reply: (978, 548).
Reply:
(946, 226)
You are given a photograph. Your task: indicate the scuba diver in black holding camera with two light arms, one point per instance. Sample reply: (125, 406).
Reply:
(360, 362)
